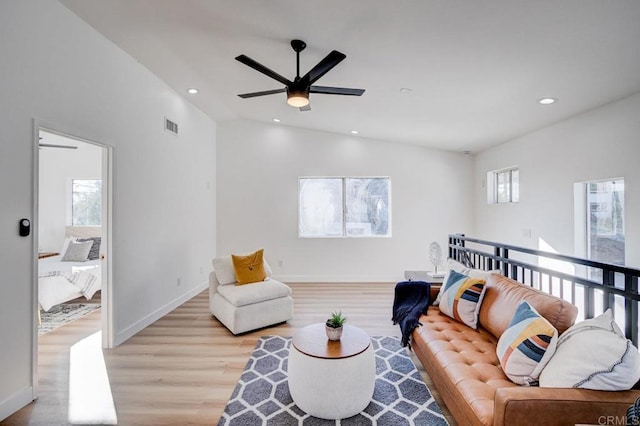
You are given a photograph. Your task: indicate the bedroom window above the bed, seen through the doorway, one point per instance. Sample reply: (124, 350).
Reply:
(86, 202)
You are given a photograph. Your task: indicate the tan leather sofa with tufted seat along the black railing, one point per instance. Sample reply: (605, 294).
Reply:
(464, 367)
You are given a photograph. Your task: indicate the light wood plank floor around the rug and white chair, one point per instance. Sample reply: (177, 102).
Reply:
(183, 368)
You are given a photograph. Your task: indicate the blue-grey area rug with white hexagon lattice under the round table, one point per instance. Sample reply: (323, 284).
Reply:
(262, 397)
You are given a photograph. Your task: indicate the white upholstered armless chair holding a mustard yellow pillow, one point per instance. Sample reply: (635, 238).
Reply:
(247, 307)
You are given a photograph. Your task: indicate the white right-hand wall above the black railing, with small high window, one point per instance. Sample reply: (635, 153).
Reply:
(599, 144)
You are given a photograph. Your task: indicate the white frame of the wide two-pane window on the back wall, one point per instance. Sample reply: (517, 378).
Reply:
(344, 203)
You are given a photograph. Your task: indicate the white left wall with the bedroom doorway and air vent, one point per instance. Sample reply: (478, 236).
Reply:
(57, 69)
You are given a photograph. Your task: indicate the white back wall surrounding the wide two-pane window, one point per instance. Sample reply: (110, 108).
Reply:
(258, 170)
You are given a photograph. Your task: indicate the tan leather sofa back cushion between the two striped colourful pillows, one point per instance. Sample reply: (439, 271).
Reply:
(502, 297)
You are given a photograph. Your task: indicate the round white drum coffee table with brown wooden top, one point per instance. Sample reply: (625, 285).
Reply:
(331, 380)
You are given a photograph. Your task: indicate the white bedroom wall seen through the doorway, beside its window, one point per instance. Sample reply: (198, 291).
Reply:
(58, 166)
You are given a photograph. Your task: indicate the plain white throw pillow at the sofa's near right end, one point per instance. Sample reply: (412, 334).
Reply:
(593, 354)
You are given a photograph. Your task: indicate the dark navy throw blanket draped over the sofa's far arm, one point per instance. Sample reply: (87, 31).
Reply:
(410, 301)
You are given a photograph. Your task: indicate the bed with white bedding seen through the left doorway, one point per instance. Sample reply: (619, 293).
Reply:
(61, 281)
